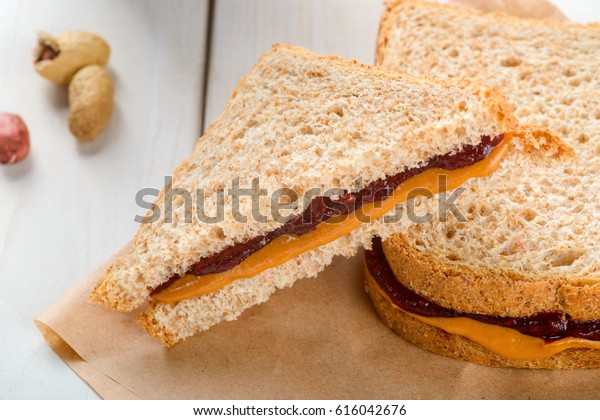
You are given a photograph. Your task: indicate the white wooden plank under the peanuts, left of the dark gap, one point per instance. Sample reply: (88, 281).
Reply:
(69, 206)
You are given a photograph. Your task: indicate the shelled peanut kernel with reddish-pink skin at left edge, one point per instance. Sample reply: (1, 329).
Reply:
(14, 139)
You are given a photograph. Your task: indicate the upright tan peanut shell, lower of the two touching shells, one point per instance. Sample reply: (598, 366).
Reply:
(91, 102)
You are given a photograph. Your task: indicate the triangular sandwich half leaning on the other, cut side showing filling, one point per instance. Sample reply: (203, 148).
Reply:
(346, 142)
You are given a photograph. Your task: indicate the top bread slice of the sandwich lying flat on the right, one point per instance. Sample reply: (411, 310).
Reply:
(531, 242)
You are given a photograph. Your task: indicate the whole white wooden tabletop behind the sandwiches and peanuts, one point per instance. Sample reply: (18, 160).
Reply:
(69, 206)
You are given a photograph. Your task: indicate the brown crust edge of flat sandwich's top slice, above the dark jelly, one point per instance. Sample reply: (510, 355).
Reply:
(490, 291)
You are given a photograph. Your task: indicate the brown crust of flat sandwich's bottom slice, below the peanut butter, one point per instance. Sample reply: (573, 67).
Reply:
(461, 348)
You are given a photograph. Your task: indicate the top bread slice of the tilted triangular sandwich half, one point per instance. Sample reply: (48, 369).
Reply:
(298, 121)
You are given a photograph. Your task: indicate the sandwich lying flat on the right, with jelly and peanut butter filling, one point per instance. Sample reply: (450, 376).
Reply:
(514, 280)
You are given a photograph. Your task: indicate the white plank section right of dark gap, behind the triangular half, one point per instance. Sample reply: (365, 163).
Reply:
(242, 30)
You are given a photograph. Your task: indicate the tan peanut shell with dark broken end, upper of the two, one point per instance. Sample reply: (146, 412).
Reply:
(59, 58)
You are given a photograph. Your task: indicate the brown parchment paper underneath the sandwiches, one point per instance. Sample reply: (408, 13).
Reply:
(319, 339)
